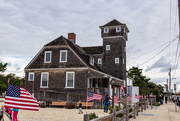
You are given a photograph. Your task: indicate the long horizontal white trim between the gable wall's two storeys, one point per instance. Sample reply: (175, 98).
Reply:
(55, 68)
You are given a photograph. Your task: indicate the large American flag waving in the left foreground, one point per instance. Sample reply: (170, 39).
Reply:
(18, 97)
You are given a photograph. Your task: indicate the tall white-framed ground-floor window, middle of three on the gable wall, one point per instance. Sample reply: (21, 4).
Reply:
(44, 79)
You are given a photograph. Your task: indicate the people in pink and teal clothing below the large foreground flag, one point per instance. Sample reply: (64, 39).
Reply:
(9, 112)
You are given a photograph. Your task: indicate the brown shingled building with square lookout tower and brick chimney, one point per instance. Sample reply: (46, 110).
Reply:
(62, 70)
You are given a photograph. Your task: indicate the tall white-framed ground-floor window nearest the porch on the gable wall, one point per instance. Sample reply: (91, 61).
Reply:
(70, 79)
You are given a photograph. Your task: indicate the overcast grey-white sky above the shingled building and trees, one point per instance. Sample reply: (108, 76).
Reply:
(27, 25)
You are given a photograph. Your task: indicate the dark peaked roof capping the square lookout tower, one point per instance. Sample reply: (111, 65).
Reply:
(114, 22)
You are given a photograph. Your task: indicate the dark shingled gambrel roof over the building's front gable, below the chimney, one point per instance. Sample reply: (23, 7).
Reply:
(76, 48)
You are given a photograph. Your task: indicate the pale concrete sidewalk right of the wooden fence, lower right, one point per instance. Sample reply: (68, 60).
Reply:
(165, 112)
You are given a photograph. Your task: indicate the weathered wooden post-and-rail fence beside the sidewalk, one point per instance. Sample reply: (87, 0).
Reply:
(112, 117)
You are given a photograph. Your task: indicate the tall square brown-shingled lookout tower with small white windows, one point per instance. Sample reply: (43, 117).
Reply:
(114, 36)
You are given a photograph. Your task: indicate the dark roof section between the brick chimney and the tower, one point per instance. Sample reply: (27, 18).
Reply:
(93, 50)
